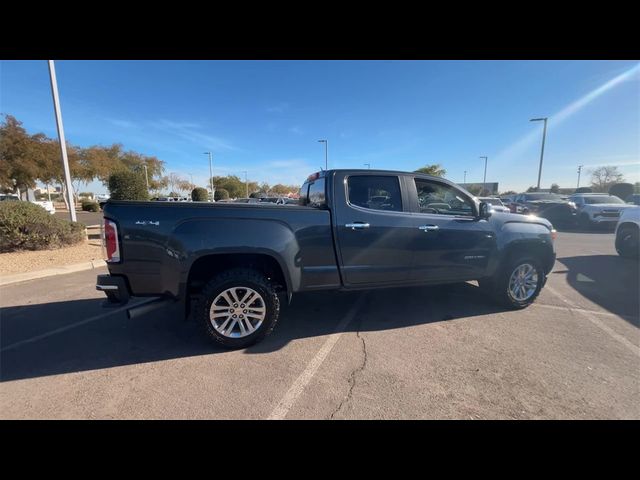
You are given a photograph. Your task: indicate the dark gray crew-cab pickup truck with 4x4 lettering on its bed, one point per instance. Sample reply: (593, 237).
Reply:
(232, 263)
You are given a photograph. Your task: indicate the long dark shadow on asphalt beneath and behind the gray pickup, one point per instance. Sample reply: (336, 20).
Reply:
(111, 341)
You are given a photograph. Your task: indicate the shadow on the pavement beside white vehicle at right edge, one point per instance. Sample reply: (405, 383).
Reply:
(610, 281)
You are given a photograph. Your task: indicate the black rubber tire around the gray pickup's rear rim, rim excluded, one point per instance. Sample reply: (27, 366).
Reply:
(241, 278)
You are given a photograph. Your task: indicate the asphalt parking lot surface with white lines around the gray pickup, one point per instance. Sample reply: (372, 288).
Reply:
(437, 352)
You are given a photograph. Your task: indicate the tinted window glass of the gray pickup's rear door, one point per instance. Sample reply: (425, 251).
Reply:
(375, 192)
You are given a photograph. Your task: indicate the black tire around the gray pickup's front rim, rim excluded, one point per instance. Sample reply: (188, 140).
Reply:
(498, 286)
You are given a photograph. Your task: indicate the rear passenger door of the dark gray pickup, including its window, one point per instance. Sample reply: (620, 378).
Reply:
(373, 228)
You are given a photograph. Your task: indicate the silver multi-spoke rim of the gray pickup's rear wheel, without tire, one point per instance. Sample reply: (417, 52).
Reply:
(237, 312)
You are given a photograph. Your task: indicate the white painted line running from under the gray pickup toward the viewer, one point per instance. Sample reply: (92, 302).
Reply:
(305, 377)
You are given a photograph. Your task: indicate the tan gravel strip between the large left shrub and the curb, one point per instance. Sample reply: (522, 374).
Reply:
(31, 261)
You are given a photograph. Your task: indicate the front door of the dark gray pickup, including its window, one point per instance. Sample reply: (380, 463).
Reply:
(451, 242)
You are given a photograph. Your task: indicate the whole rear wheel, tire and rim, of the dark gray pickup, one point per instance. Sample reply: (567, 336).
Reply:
(238, 308)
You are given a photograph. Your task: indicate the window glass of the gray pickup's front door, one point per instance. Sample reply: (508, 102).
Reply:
(442, 199)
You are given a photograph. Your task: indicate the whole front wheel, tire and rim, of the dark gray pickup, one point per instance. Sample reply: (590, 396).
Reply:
(517, 284)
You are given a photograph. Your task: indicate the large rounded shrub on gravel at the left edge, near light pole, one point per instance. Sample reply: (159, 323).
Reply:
(26, 226)
